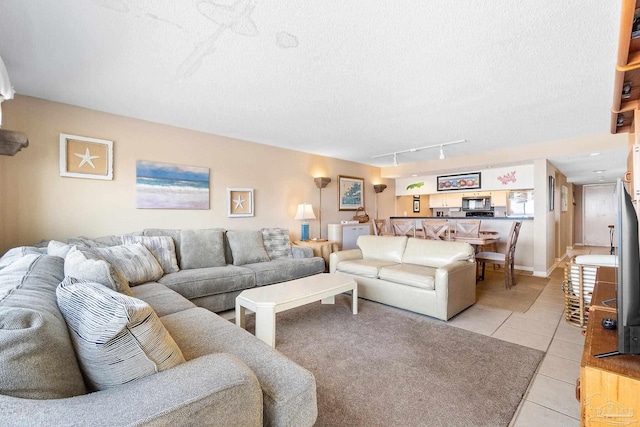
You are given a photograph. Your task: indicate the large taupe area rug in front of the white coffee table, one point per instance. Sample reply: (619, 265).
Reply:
(389, 367)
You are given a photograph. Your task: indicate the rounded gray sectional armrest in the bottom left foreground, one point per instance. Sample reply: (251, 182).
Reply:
(215, 389)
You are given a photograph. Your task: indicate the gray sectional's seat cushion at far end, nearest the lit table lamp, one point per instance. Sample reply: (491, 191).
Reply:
(282, 270)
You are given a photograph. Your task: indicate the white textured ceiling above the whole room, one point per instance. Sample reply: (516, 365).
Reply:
(345, 79)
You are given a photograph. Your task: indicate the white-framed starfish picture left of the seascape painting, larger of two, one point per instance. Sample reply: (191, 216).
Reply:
(82, 157)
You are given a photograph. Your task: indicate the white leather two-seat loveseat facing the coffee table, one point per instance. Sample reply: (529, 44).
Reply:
(432, 277)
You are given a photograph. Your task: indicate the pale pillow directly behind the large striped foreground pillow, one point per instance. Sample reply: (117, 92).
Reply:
(87, 265)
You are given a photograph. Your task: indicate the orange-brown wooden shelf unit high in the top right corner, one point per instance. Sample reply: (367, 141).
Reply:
(627, 75)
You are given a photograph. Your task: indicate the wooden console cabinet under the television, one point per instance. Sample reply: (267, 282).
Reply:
(609, 388)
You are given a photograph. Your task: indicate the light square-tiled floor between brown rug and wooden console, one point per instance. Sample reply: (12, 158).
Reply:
(550, 399)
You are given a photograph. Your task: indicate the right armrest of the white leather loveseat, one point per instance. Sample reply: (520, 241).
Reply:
(455, 285)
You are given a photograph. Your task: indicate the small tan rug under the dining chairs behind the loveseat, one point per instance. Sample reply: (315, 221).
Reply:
(491, 291)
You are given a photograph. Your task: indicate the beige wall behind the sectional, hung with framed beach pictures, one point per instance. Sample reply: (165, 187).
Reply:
(36, 203)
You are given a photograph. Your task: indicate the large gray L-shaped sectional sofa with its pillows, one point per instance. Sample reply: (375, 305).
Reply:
(196, 368)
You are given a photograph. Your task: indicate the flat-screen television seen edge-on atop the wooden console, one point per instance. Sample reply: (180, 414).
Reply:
(628, 275)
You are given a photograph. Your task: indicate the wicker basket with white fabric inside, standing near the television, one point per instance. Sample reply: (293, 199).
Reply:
(579, 281)
